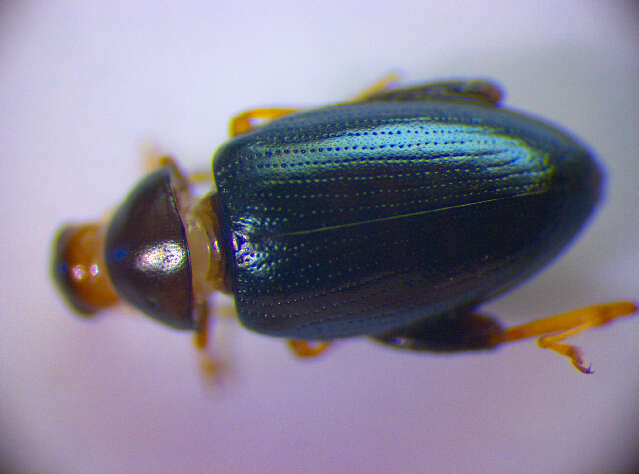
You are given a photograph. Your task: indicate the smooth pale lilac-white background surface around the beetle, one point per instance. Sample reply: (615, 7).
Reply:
(83, 84)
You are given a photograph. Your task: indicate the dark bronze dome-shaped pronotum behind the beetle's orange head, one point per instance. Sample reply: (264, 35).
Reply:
(147, 253)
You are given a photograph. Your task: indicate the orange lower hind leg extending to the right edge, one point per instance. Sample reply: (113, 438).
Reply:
(556, 328)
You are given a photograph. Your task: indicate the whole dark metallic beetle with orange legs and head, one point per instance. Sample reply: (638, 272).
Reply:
(393, 215)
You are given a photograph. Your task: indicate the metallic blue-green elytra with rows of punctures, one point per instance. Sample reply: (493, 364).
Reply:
(361, 218)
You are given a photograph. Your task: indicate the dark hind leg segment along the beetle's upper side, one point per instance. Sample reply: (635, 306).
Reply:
(475, 90)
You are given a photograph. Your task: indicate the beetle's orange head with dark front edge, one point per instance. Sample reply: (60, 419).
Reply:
(79, 270)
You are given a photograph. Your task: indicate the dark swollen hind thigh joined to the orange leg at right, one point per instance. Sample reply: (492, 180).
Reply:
(455, 331)
